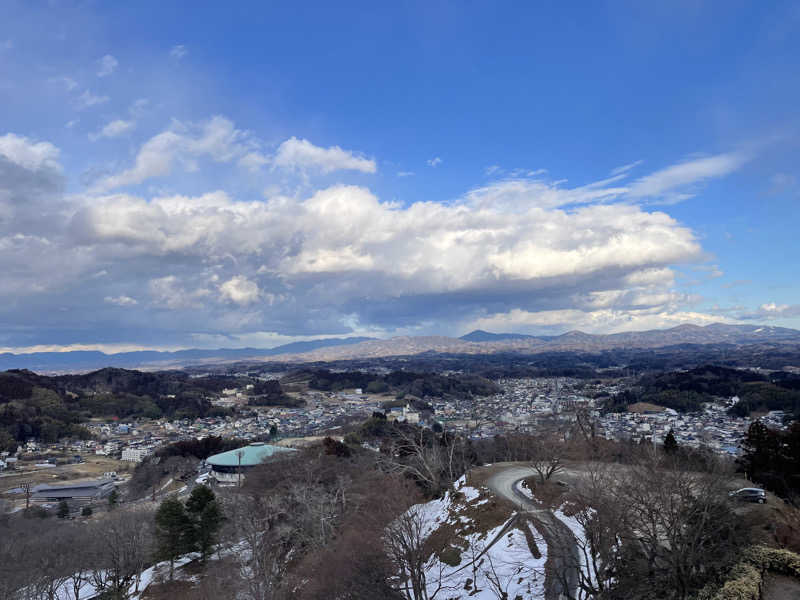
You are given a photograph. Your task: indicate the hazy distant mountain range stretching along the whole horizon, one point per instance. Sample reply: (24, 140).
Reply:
(475, 342)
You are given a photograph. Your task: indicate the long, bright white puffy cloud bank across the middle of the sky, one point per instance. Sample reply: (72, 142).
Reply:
(345, 236)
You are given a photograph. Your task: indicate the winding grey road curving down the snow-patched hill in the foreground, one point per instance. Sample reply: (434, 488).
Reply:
(563, 556)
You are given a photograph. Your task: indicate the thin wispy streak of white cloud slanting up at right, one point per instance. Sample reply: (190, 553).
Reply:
(668, 183)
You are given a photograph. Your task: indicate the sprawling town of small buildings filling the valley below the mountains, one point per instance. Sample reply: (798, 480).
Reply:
(523, 405)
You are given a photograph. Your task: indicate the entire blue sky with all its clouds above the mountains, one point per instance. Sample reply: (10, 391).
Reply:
(189, 174)
